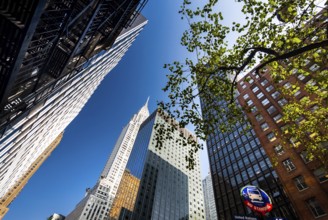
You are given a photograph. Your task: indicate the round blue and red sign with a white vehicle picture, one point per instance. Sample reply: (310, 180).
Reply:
(256, 199)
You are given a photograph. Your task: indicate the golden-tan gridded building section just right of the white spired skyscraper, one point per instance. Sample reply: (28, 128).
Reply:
(126, 195)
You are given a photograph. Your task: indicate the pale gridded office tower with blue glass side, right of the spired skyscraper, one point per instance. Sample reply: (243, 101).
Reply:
(167, 190)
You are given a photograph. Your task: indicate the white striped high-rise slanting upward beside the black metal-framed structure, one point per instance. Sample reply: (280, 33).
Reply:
(24, 139)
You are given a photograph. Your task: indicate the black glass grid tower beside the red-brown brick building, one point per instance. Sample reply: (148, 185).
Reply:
(237, 159)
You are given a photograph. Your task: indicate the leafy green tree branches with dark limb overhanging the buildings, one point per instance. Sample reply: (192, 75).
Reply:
(281, 34)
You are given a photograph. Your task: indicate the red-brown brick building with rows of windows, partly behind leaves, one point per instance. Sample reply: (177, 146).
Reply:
(304, 180)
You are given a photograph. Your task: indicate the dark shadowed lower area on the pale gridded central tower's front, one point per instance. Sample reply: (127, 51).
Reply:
(163, 191)
